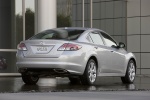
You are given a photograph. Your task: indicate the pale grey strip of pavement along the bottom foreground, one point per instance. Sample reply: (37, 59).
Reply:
(109, 95)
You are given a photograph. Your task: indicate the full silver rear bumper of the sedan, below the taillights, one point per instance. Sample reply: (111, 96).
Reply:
(73, 65)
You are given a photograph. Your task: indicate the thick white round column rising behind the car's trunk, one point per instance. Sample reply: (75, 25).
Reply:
(45, 15)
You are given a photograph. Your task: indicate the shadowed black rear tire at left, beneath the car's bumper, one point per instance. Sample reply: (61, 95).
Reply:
(30, 79)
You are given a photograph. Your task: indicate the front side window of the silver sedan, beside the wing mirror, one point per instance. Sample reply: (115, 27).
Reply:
(108, 40)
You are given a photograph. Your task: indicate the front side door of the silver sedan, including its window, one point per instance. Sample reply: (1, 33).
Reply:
(116, 55)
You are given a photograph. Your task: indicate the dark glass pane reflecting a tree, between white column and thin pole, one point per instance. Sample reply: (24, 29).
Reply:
(69, 13)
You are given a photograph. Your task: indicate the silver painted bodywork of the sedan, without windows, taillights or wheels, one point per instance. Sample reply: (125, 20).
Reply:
(111, 61)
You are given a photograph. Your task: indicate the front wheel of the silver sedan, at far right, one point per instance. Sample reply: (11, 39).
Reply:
(130, 73)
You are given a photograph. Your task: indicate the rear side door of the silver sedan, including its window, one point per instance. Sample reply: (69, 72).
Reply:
(101, 50)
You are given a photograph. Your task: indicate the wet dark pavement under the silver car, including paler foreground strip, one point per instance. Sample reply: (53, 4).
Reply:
(106, 88)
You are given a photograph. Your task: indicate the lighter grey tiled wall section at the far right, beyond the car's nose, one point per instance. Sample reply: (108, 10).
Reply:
(138, 32)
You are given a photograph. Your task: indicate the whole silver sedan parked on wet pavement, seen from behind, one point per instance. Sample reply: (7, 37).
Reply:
(81, 54)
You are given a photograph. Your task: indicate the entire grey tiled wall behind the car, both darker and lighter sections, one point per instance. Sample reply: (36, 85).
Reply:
(127, 21)
